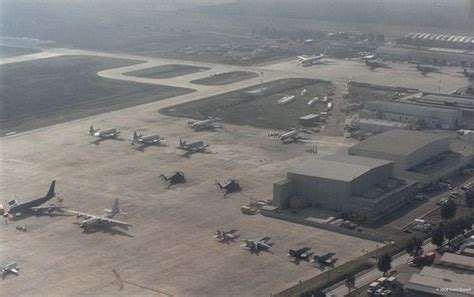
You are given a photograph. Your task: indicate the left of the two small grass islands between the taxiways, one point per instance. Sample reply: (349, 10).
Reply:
(166, 71)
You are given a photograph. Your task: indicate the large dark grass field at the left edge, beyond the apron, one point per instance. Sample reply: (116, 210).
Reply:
(44, 92)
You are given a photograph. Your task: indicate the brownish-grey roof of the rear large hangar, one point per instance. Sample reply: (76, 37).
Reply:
(397, 142)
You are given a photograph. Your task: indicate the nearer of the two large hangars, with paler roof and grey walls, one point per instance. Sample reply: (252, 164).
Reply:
(362, 186)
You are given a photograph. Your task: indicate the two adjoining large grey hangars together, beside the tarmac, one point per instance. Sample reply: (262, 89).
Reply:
(376, 177)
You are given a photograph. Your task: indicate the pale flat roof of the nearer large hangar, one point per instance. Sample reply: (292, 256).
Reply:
(338, 167)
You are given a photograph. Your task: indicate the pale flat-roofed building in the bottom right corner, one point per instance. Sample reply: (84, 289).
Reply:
(430, 280)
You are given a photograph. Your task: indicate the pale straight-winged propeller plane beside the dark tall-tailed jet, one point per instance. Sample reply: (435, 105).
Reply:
(91, 222)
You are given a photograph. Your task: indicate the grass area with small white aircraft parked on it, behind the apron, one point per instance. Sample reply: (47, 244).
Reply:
(260, 111)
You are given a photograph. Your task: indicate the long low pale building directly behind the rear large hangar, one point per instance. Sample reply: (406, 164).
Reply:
(424, 116)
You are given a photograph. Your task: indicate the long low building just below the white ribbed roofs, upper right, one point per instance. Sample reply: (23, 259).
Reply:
(436, 56)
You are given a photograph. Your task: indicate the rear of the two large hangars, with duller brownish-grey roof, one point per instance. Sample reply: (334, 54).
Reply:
(405, 148)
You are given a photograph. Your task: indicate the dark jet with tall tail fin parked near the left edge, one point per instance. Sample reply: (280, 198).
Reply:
(35, 205)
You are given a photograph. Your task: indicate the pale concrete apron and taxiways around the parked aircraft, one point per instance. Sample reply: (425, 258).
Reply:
(170, 248)
